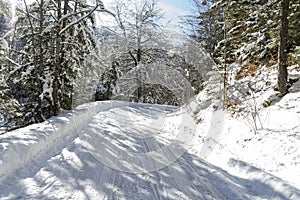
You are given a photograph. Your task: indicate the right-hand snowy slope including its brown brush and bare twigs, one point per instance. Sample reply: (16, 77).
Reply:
(273, 145)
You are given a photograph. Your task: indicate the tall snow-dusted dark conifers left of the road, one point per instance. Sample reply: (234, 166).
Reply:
(52, 41)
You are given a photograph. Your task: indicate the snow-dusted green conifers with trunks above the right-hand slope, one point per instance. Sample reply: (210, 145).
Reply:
(250, 33)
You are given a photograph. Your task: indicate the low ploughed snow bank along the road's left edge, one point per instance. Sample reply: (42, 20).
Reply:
(19, 147)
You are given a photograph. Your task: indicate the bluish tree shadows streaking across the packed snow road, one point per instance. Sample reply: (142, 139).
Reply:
(89, 168)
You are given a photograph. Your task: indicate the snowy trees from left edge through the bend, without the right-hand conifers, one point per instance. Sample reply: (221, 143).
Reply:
(53, 55)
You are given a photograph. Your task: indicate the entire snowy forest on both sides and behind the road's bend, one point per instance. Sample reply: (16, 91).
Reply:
(55, 55)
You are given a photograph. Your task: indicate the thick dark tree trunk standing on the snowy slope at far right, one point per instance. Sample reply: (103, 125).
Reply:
(282, 58)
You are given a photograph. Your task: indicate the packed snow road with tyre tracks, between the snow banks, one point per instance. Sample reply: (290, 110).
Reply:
(130, 152)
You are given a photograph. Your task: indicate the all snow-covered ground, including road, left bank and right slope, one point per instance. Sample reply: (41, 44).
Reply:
(119, 150)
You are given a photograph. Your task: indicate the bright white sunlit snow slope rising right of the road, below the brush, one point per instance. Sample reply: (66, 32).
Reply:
(269, 156)
